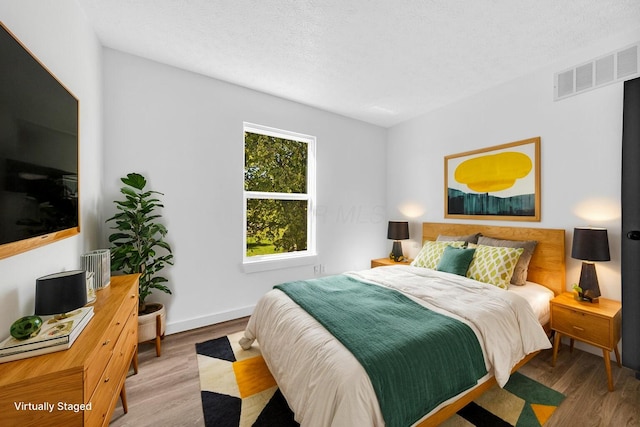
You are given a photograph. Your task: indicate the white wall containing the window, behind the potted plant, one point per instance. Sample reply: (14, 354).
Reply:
(184, 132)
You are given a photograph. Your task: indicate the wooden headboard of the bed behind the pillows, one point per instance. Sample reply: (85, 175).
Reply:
(547, 266)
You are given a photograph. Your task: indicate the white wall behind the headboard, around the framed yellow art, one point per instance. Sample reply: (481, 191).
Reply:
(580, 150)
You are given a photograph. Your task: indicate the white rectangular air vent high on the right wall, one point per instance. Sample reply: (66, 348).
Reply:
(611, 68)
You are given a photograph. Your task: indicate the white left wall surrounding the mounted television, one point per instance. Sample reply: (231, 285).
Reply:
(58, 34)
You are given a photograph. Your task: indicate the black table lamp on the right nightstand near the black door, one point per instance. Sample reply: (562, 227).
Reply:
(590, 244)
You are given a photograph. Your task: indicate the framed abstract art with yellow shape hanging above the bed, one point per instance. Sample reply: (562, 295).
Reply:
(495, 183)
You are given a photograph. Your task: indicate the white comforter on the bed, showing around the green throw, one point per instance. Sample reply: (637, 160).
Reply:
(325, 385)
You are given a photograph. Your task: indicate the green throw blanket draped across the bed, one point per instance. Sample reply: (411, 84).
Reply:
(415, 357)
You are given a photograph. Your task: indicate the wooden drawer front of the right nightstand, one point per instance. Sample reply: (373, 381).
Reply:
(580, 325)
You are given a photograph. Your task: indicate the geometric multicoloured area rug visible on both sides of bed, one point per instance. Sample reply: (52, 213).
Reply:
(237, 390)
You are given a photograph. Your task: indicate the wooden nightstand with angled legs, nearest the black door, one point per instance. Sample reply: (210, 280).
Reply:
(597, 324)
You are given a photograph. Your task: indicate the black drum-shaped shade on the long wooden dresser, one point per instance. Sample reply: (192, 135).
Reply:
(61, 292)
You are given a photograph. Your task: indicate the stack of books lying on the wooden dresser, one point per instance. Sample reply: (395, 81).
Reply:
(57, 333)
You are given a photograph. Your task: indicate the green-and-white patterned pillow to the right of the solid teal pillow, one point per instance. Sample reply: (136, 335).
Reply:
(494, 265)
